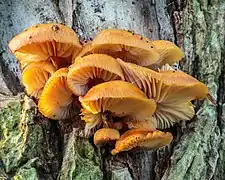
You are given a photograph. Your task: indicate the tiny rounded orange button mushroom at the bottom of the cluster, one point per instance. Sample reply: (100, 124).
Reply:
(105, 135)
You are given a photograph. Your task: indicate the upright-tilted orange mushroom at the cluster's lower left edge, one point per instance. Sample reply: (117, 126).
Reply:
(56, 100)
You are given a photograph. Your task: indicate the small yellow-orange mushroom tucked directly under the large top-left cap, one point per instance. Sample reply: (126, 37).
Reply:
(35, 76)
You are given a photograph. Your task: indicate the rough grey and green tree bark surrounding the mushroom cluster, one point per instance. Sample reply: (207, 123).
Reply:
(32, 147)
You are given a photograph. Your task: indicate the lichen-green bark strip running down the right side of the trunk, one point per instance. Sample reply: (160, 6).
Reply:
(198, 153)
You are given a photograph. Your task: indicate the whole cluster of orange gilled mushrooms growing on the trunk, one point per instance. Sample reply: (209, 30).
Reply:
(126, 88)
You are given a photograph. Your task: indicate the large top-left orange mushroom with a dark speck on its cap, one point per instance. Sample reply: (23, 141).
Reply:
(54, 42)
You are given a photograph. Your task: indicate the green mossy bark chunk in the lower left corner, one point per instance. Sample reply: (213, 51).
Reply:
(22, 141)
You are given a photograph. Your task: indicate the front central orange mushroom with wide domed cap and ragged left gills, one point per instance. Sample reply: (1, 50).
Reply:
(119, 98)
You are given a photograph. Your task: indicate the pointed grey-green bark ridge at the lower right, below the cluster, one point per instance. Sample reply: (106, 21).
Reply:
(197, 149)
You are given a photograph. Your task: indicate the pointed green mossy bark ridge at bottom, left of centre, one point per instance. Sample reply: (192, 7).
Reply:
(80, 161)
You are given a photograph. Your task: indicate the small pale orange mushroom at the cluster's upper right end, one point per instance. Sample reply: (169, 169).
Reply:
(168, 51)
